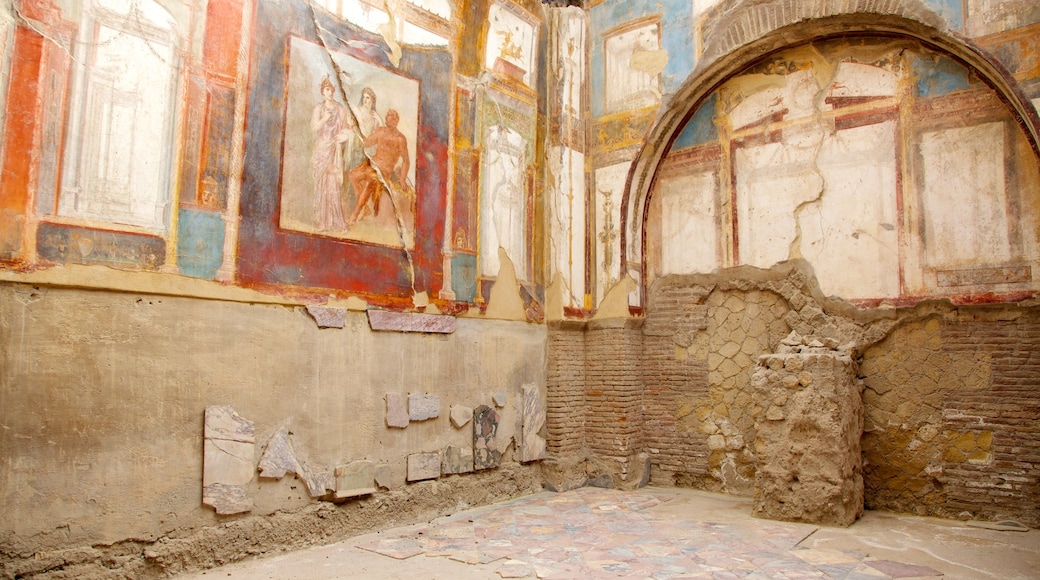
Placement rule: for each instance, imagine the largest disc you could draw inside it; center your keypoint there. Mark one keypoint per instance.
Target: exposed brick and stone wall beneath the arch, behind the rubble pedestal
(950, 405)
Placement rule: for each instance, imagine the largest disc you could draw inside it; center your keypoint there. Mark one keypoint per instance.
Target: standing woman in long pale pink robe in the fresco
(331, 125)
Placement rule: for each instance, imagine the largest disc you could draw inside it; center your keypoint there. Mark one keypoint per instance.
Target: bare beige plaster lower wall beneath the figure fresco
(105, 396)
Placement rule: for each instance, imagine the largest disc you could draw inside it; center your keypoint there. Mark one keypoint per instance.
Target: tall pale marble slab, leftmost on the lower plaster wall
(228, 461)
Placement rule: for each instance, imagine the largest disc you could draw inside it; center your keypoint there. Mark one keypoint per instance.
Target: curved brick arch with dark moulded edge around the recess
(742, 33)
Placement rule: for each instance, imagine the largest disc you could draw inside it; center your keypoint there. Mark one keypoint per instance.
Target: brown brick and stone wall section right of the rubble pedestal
(953, 427)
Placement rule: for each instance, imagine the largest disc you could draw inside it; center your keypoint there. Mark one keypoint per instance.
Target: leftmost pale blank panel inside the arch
(688, 216)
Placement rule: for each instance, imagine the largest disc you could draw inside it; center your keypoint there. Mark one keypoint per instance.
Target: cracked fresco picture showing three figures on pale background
(328, 147)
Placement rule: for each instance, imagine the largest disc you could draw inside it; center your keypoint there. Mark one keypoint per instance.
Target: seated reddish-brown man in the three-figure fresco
(389, 162)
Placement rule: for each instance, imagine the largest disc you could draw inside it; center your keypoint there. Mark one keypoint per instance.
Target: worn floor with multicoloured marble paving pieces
(659, 534)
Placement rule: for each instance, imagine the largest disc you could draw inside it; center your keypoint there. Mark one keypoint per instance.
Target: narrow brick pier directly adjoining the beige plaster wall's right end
(565, 380)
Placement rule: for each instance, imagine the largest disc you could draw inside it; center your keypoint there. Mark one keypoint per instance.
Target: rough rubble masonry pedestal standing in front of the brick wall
(810, 458)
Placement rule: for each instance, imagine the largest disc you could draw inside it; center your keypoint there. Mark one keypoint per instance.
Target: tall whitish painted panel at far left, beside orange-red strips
(118, 156)
